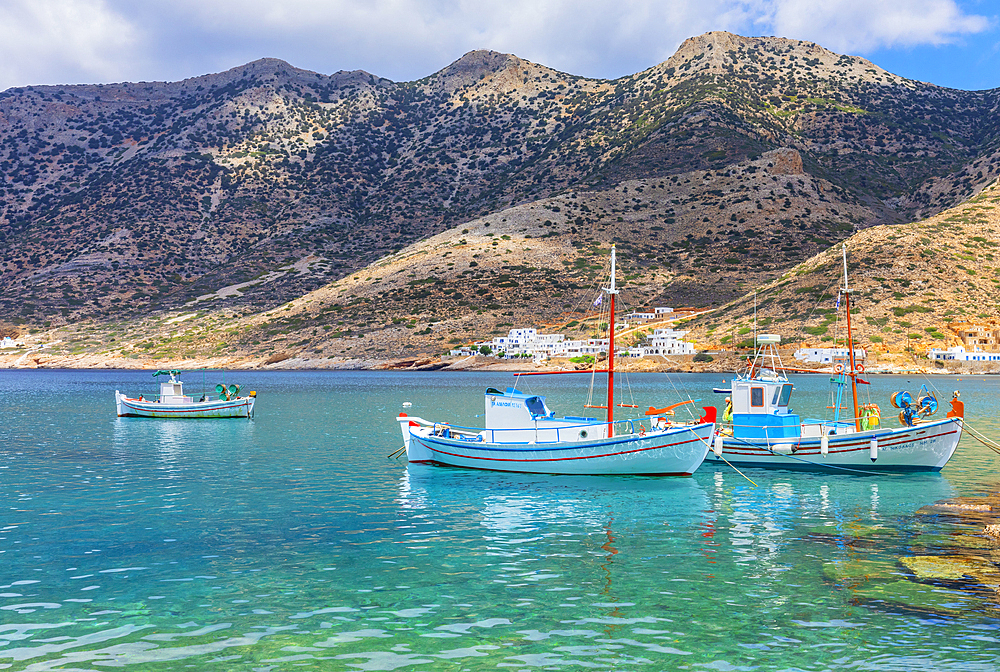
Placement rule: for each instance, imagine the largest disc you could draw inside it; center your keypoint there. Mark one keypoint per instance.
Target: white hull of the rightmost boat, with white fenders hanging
(926, 447)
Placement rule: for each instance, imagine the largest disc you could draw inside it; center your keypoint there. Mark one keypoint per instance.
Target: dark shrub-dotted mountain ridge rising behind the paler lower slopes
(125, 200)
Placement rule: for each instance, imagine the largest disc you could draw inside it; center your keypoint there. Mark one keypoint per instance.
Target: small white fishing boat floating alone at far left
(173, 403)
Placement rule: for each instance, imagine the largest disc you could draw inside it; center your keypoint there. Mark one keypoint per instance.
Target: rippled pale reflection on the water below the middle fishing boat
(565, 531)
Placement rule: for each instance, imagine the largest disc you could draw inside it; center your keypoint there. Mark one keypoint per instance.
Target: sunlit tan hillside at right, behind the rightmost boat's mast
(908, 283)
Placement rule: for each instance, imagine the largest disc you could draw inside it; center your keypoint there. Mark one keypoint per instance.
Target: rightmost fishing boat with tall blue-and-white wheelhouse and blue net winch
(759, 429)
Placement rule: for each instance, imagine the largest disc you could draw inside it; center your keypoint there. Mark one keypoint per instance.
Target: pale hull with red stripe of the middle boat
(677, 451)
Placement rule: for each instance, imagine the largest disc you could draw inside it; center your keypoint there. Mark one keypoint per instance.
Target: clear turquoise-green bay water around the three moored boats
(292, 542)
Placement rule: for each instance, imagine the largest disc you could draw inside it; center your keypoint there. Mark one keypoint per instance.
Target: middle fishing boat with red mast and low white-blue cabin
(521, 434)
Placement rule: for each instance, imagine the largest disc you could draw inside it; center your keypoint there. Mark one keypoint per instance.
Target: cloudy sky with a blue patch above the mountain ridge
(954, 43)
